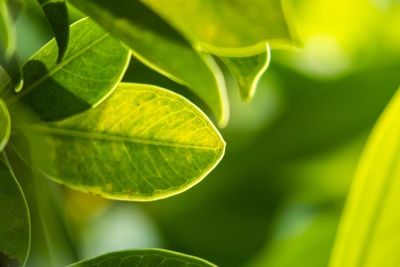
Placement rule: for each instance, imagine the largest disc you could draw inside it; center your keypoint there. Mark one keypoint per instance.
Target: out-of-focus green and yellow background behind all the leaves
(276, 197)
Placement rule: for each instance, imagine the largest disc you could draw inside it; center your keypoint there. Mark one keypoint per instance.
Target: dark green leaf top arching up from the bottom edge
(144, 258)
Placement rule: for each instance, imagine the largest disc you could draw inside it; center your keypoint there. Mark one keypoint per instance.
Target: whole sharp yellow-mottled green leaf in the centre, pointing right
(142, 143)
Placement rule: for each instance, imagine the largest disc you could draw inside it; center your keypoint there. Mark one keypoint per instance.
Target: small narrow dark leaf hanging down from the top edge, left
(57, 14)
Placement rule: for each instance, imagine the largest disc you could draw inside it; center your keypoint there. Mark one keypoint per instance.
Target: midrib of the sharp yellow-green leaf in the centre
(113, 137)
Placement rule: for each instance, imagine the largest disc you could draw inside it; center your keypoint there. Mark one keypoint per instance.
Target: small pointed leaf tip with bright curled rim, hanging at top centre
(248, 71)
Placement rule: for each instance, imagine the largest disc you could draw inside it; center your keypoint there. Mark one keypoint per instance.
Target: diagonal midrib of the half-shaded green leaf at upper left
(59, 66)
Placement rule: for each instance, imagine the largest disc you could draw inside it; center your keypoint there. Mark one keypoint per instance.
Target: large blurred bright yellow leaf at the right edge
(367, 233)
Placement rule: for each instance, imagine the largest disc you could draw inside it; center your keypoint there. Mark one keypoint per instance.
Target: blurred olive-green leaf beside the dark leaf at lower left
(50, 244)
